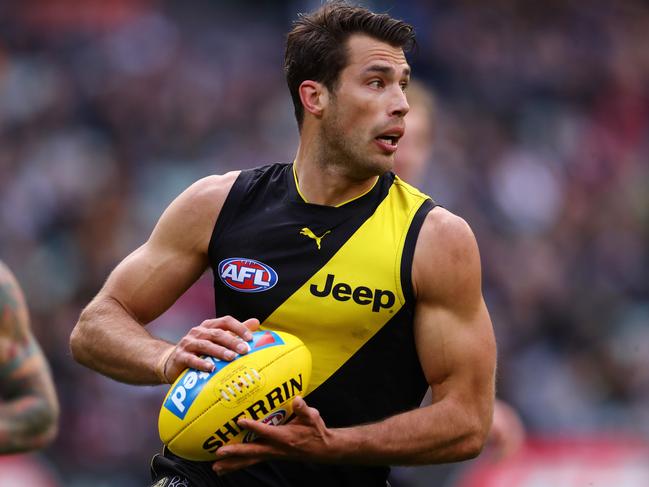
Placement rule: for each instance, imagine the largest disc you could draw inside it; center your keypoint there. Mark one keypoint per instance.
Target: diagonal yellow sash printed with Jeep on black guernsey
(364, 282)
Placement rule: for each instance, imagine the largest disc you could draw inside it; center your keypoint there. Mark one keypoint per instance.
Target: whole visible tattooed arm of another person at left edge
(28, 405)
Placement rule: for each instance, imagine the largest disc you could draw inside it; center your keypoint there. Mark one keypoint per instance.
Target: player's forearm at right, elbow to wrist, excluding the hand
(439, 433)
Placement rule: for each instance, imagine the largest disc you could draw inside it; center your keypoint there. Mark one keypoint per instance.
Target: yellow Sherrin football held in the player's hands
(201, 409)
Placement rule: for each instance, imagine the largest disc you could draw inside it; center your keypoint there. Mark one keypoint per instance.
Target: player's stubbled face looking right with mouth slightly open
(364, 120)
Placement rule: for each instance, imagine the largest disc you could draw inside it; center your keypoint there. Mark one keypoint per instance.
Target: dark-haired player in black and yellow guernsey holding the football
(383, 286)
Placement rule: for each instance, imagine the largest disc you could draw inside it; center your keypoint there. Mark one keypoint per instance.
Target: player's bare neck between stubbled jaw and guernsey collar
(325, 182)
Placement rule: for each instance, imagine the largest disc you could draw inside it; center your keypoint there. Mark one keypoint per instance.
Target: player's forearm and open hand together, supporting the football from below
(446, 431)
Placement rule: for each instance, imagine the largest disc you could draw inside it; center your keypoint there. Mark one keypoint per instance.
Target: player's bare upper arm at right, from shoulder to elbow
(453, 330)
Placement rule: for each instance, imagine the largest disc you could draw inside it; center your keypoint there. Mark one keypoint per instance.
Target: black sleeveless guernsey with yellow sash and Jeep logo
(339, 278)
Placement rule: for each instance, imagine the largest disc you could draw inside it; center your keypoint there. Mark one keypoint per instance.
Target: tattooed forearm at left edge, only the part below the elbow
(27, 423)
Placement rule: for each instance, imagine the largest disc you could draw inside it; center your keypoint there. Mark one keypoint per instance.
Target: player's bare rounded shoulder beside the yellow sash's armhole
(446, 264)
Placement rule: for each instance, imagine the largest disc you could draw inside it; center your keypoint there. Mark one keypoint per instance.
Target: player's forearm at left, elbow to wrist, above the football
(107, 339)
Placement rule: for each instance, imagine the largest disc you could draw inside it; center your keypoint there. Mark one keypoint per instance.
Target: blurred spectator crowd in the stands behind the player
(110, 109)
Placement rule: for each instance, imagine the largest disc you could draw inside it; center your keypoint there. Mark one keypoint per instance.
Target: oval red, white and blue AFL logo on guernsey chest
(247, 275)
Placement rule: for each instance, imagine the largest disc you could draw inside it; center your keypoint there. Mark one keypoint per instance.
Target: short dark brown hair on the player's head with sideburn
(316, 45)
